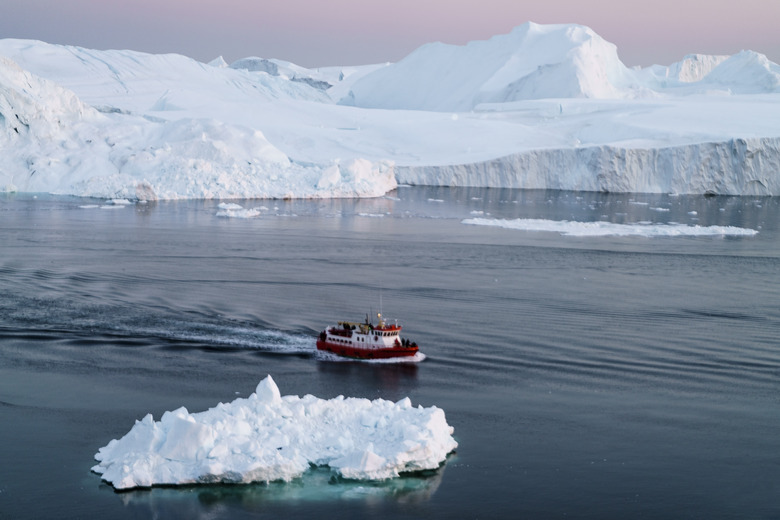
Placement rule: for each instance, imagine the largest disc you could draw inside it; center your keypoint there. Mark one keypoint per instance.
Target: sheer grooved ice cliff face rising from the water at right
(733, 167)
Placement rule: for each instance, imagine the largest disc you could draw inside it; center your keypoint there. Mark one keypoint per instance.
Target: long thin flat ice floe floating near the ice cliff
(590, 229)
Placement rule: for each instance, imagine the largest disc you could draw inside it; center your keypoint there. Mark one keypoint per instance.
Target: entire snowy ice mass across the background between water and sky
(543, 107)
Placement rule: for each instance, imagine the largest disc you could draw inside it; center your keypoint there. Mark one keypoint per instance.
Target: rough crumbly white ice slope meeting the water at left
(51, 141)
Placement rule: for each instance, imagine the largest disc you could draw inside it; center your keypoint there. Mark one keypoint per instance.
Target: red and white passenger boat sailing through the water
(366, 340)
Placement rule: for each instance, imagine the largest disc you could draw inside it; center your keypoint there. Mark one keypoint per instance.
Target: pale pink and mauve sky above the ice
(315, 33)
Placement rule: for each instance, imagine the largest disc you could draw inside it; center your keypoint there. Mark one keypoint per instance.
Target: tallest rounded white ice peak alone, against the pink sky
(532, 62)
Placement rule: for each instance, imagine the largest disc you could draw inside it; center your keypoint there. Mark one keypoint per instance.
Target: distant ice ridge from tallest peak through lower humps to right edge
(563, 61)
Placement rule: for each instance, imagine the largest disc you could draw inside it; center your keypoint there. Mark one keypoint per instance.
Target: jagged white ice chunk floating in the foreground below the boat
(267, 437)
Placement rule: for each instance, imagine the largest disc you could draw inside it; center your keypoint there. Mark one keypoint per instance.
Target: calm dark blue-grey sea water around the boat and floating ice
(585, 377)
